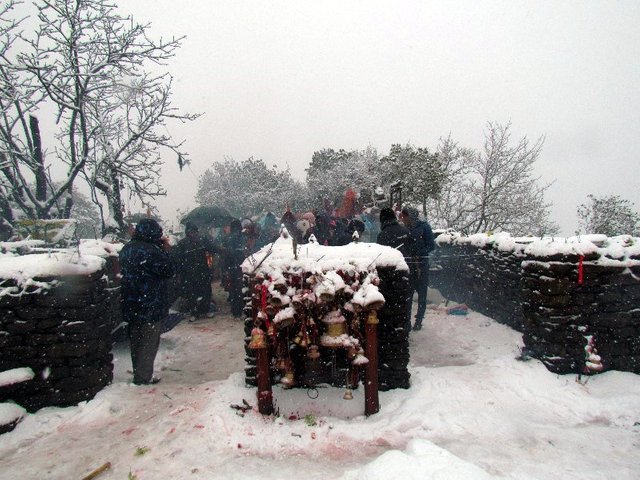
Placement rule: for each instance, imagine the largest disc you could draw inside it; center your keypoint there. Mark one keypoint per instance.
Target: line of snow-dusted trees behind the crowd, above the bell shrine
(460, 188)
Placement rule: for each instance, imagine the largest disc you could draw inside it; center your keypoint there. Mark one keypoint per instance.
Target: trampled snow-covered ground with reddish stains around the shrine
(473, 412)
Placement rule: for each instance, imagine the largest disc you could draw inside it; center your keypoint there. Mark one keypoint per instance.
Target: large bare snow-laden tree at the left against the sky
(90, 64)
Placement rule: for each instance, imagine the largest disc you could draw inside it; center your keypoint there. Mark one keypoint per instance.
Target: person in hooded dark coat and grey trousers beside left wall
(145, 267)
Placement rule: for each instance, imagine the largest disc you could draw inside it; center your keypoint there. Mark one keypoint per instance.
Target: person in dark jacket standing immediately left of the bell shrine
(233, 250)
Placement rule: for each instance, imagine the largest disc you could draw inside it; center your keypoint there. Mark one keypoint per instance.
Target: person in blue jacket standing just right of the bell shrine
(423, 244)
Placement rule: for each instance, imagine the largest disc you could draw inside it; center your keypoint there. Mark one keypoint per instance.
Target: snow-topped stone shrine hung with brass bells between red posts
(320, 315)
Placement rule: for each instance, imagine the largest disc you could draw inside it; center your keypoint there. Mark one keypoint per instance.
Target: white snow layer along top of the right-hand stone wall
(623, 248)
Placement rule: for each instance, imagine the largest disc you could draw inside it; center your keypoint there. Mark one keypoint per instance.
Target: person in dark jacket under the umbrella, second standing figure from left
(192, 260)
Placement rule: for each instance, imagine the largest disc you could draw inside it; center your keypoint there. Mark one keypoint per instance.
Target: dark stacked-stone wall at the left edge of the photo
(64, 335)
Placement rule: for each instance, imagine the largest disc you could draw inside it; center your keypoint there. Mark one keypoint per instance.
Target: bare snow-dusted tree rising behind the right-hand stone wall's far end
(495, 189)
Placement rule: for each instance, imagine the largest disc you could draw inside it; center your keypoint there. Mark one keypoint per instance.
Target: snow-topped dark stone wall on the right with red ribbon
(567, 299)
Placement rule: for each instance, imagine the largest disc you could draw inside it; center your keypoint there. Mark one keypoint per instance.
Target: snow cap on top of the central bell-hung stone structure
(316, 258)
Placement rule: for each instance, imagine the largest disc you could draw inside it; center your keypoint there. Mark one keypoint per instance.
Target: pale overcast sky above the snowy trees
(279, 80)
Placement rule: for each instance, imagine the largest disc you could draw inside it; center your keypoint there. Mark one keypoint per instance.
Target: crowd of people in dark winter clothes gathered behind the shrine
(156, 275)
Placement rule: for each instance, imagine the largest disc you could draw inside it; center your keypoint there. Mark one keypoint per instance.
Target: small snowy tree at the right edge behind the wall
(608, 215)
